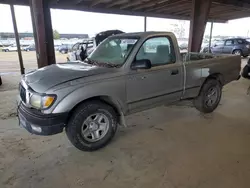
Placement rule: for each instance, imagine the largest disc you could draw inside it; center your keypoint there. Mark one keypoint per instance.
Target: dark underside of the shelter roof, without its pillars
(221, 10)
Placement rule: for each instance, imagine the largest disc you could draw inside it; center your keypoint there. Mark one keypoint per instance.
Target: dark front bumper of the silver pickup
(41, 124)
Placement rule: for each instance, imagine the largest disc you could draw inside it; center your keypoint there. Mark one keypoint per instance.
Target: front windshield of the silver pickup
(113, 51)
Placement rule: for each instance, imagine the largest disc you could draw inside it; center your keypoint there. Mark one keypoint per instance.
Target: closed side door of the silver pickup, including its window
(163, 83)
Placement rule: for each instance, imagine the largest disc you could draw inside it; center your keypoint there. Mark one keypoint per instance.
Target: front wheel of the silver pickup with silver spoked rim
(80, 134)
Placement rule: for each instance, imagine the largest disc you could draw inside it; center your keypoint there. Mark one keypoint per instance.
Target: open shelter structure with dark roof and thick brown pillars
(199, 12)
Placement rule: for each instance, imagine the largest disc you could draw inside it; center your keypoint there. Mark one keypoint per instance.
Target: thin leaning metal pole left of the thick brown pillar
(17, 39)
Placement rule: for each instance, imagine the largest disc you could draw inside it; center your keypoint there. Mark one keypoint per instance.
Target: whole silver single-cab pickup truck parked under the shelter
(127, 73)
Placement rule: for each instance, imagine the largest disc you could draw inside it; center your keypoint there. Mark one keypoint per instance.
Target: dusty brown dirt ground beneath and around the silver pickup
(170, 147)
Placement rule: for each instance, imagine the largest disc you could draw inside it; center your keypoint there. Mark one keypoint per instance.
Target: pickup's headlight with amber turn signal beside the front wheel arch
(42, 102)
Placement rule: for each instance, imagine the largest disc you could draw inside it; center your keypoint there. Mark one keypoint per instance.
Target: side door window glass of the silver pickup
(159, 50)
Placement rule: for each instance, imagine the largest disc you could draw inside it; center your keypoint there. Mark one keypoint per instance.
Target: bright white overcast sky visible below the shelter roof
(69, 21)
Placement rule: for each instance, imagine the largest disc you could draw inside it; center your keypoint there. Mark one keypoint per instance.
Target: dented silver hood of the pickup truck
(45, 78)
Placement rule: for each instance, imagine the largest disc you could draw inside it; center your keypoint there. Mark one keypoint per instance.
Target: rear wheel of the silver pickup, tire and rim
(202, 103)
